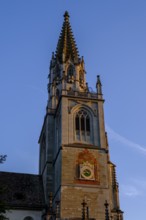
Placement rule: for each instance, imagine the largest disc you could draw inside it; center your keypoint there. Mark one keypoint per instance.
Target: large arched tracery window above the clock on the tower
(82, 126)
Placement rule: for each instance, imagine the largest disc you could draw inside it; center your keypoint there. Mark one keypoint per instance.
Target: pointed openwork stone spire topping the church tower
(66, 47)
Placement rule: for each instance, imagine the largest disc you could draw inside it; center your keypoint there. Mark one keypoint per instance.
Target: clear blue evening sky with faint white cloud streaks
(111, 35)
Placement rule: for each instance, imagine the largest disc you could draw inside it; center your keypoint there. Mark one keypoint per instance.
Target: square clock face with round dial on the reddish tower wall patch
(87, 172)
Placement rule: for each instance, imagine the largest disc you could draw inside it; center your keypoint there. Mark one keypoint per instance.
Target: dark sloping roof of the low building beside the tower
(22, 191)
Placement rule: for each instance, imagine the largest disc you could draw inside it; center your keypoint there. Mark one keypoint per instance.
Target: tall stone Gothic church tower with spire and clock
(78, 177)
